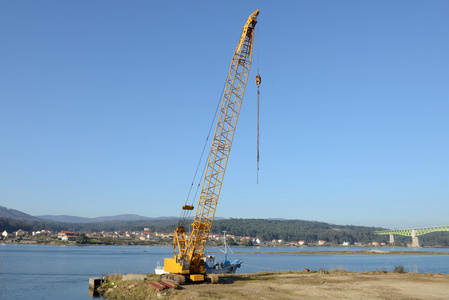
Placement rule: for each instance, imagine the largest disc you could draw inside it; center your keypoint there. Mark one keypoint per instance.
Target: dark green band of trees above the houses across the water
(264, 229)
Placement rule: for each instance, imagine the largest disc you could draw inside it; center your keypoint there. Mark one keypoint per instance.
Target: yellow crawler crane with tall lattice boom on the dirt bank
(188, 261)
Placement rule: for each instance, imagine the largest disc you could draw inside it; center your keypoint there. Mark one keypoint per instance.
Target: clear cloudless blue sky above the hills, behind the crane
(105, 106)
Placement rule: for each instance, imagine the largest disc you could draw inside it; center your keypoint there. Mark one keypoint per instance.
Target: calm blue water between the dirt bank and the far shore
(58, 272)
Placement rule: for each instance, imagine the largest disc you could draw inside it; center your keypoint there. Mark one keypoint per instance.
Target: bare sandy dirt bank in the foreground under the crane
(294, 285)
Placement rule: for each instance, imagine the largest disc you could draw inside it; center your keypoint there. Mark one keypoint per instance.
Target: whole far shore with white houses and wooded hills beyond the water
(19, 227)
